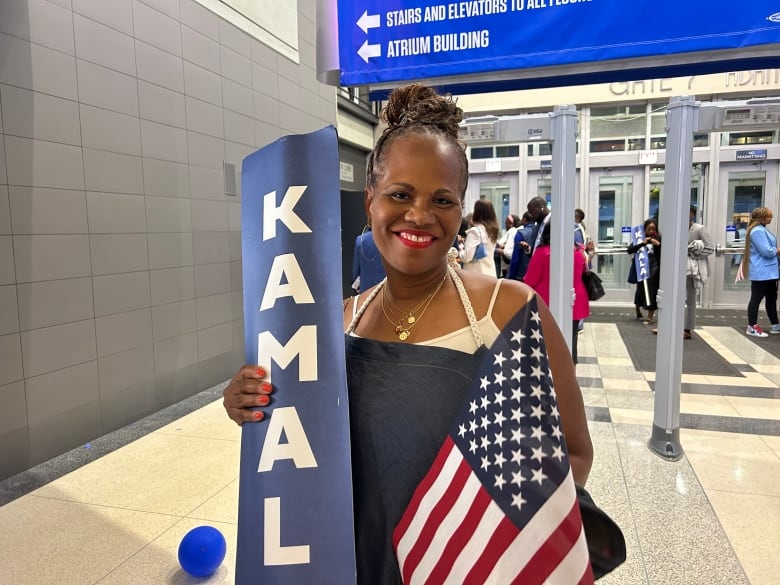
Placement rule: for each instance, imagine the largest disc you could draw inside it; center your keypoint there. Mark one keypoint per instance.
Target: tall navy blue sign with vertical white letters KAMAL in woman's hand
(295, 520)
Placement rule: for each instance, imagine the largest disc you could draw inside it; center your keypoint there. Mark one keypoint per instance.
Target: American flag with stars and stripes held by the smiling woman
(499, 505)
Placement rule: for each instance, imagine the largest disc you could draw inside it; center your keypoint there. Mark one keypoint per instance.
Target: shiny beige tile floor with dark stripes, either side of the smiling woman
(713, 517)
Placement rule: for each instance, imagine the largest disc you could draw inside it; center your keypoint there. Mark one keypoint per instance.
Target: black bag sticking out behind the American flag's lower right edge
(606, 544)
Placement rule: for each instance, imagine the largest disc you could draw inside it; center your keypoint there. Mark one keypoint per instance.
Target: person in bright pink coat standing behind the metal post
(538, 277)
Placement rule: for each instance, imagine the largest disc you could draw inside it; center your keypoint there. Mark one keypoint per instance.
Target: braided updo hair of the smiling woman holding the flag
(418, 109)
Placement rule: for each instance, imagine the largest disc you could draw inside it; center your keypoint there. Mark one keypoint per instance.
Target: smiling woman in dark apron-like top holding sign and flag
(415, 340)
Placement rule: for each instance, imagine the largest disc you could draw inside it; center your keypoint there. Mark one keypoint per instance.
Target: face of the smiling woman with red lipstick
(415, 206)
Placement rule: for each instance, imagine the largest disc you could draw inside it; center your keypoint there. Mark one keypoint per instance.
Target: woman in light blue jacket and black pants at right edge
(761, 269)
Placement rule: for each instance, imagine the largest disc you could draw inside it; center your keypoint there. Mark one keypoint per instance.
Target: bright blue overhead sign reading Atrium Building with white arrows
(383, 41)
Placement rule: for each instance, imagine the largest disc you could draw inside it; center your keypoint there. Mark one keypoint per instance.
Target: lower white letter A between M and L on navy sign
(297, 447)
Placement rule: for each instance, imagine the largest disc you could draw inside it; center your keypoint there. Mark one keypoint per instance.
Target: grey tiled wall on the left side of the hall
(120, 254)
